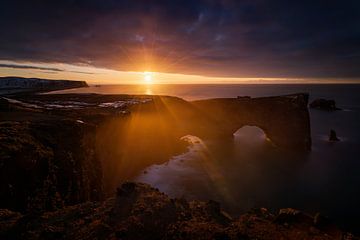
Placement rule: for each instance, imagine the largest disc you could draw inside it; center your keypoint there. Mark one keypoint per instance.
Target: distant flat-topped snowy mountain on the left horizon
(38, 84)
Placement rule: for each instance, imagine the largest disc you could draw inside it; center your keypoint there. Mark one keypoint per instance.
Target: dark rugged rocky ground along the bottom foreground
(141, 212)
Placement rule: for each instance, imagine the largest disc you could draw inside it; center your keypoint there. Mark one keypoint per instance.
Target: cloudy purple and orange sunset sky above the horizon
(181, 41)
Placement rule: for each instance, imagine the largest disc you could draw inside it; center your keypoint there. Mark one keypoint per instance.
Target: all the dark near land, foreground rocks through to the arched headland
(61, 154)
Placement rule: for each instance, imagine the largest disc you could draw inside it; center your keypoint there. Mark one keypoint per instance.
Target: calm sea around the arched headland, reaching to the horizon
(247, 172)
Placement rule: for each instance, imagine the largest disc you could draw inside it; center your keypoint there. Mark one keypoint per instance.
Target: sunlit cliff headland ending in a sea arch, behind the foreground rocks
(60, 154)
